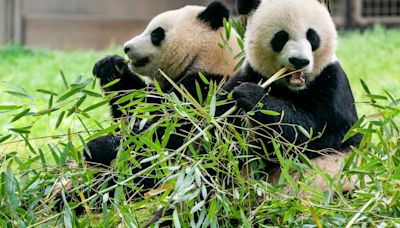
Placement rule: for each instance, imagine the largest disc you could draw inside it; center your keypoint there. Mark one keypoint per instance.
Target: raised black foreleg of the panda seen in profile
(115, 67)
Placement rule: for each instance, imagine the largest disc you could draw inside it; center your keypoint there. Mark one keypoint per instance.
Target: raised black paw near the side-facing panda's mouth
(110, 68)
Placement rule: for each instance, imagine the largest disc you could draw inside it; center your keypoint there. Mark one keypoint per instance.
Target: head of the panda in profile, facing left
(183, 40)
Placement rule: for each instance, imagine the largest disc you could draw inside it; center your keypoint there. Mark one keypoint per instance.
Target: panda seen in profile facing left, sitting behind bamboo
(181, 43)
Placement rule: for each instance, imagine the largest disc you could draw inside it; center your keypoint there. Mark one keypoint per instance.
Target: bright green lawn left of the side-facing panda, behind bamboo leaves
(33, 69)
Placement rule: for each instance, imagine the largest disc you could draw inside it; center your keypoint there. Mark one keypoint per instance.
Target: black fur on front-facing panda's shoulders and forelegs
(326, 105)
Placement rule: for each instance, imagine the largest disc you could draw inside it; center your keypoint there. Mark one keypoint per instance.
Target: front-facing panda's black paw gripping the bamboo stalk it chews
(247, 95)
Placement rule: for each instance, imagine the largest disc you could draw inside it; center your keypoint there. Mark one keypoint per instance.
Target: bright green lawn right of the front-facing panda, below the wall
(372, 55)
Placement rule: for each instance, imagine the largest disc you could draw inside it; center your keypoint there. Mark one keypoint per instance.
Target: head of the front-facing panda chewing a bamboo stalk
(296, 34)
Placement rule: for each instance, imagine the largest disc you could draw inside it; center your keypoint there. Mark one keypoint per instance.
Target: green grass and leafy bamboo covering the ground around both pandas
(30, 168)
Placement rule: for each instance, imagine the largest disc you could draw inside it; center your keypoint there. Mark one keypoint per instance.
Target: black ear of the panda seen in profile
(214, 15)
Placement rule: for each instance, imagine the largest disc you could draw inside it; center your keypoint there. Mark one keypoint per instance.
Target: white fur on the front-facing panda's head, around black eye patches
(295, 17)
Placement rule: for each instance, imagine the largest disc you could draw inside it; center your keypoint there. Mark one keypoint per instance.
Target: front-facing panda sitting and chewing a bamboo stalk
(298, 35)
